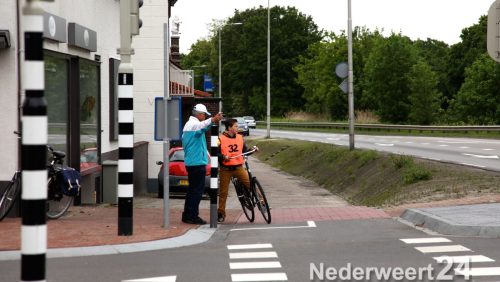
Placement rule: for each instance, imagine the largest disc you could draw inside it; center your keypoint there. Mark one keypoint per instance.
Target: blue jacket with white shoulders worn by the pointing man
(194, 143)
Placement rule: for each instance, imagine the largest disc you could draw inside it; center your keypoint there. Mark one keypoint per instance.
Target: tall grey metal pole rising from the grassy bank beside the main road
(350, 77)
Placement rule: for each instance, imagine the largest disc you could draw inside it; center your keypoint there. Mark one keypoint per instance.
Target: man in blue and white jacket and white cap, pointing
(196, 158)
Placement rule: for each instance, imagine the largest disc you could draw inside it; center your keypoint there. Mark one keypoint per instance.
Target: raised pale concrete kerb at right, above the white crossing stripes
(443, 226)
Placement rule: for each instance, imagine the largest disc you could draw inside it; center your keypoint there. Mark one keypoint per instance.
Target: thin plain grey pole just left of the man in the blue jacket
(166, 140)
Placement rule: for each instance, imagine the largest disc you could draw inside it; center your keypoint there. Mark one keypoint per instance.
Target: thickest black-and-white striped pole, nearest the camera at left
(33, 149)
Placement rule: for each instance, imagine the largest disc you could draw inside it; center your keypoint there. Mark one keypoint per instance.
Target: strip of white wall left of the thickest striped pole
(8, 92)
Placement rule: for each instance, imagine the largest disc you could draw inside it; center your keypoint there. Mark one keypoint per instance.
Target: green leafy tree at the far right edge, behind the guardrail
(478, 101)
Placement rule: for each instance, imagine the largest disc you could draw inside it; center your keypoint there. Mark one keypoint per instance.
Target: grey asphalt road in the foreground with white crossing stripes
(289, 252)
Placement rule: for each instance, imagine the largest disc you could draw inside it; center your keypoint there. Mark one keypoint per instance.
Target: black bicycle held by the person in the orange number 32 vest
(253, 197)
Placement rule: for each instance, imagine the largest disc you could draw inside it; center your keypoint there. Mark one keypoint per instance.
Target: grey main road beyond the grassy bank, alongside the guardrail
(481, 153)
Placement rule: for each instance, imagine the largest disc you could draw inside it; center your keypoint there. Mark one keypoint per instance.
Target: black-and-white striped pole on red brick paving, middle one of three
(125, 150)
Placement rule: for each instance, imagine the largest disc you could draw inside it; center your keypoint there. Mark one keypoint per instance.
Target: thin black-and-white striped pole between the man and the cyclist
(214, 181)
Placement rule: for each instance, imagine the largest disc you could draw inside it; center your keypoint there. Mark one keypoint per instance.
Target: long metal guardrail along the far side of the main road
(379, 127)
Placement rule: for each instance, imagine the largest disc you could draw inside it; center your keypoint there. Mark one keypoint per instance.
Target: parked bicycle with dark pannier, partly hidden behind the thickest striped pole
(58, 200)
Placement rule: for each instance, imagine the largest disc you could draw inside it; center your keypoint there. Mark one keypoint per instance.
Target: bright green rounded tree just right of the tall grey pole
(386, 80)
